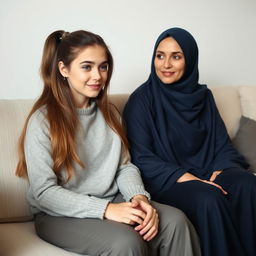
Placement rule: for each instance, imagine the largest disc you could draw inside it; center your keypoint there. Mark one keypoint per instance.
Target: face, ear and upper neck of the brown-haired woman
(87, 74)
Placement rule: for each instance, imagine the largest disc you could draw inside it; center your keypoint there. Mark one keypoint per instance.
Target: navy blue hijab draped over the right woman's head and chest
(185, 113)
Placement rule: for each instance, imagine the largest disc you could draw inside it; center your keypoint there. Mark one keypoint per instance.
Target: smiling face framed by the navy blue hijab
(169, 61)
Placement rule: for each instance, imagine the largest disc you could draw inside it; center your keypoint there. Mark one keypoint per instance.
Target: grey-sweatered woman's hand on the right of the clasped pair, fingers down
(149, 228)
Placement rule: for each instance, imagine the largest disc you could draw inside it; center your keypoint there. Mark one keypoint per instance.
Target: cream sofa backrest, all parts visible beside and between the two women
(13, 204)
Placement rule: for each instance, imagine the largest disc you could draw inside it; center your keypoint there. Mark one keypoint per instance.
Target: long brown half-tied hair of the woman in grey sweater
(59, 103)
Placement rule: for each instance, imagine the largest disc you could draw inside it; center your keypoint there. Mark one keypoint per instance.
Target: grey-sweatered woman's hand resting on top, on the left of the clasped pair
(125, 213)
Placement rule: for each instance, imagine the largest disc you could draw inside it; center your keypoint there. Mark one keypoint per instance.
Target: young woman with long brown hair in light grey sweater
(85, 194)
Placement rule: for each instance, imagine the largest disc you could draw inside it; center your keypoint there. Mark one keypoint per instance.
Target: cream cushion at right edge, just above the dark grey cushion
(248, 101)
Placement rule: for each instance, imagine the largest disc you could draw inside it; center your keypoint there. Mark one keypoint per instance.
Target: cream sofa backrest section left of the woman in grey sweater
(13, 205)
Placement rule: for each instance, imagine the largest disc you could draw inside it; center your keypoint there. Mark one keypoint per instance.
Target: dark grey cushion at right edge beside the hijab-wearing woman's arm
(245, 141)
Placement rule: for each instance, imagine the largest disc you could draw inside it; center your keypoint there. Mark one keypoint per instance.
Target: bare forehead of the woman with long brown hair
(95, 53)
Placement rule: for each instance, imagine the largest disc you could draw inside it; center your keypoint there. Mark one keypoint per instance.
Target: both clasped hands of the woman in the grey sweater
(138, 212)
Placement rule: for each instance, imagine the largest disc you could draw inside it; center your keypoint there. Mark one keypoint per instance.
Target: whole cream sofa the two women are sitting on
(17, 234)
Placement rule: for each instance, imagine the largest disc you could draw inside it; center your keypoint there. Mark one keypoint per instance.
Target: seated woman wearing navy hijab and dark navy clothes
(181, 146)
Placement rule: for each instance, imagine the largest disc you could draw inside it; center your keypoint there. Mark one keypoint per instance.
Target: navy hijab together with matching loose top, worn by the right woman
(182, 126)
